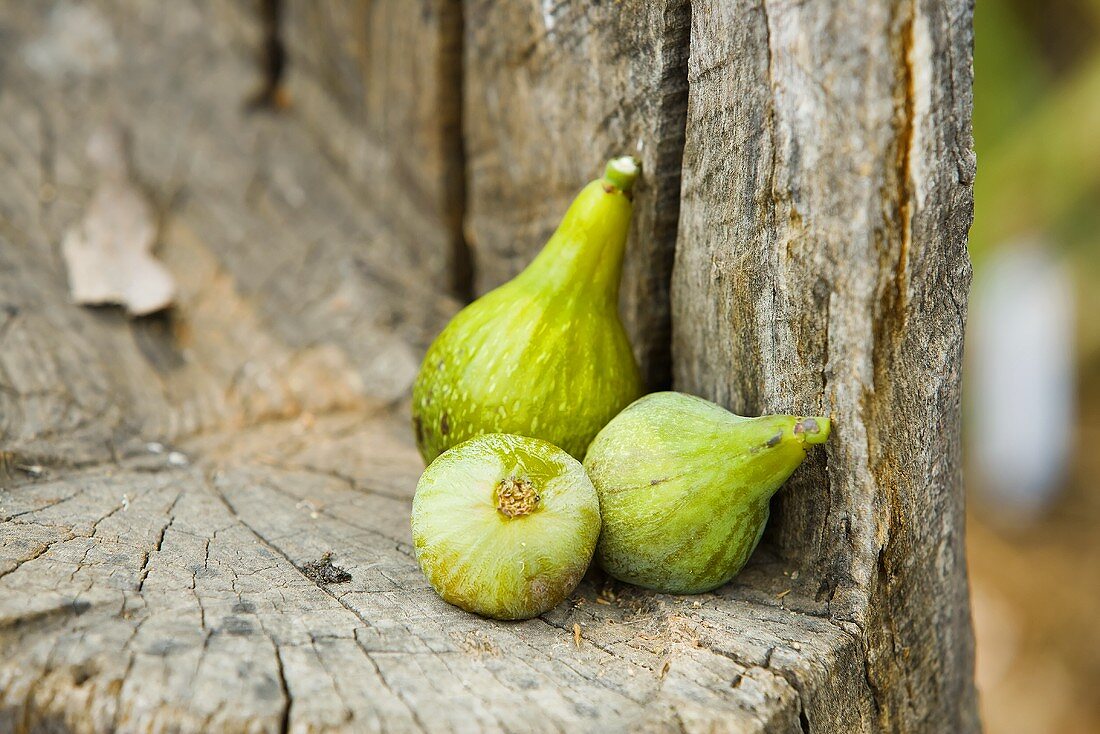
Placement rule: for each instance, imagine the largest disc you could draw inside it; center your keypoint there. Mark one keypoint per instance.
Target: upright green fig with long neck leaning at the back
(546, 354)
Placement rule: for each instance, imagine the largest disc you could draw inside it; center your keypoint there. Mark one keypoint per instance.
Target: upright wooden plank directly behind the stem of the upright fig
(553, 91)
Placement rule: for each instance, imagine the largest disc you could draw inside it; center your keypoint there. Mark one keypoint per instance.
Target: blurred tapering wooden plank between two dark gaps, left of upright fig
(380, 84)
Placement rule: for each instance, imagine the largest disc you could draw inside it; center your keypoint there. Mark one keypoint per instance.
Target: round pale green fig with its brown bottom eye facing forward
(505, 527)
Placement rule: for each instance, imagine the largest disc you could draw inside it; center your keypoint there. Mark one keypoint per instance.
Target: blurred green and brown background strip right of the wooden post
(1033, 371)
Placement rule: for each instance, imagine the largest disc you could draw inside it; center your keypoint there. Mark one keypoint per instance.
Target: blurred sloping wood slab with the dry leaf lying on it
(282, 308)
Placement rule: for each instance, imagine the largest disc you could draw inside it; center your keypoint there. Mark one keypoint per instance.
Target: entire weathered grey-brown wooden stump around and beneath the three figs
(167, 483)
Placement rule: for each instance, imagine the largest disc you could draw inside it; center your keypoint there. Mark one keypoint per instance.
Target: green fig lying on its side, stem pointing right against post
(685, 487)
